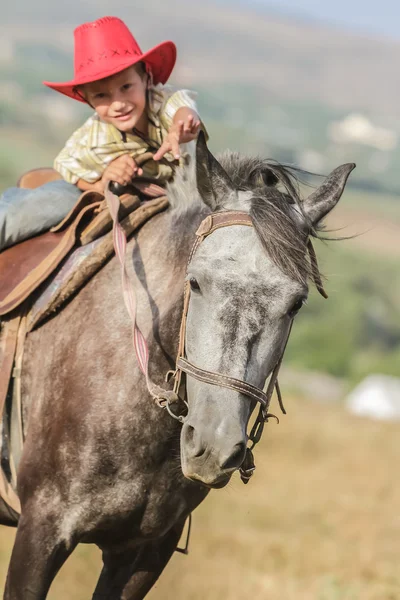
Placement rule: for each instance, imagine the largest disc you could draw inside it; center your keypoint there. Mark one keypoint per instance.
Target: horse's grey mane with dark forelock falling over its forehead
(275, 192)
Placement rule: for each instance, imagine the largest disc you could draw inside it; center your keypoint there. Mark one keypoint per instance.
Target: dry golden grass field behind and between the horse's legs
(319, 521)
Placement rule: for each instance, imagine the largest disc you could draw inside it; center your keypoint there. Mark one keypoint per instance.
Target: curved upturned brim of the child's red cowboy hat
(161, 60)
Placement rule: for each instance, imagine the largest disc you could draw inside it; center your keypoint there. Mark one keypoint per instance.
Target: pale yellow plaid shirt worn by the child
(94, 145)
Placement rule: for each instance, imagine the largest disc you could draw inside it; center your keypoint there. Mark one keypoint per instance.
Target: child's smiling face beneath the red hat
(120, 99)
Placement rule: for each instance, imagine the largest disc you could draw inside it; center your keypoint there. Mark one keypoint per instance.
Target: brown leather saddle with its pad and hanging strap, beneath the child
(37, 276)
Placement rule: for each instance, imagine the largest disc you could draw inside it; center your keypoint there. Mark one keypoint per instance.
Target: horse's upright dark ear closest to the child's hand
(213, 183)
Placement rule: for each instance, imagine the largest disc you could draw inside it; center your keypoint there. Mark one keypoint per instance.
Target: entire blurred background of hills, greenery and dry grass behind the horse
(314, 85)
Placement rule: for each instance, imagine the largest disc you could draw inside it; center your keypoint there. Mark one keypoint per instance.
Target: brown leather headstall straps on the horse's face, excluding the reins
(207, 227)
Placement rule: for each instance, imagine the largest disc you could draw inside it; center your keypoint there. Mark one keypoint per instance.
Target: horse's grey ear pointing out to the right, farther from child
(325, 198)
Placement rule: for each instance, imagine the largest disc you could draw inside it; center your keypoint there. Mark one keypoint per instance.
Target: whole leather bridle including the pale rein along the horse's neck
(164, 398)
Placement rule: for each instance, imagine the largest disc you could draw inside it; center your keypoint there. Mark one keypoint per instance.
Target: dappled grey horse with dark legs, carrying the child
(102, 463)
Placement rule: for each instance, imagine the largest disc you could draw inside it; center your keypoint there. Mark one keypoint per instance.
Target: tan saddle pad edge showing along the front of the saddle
(84, 262)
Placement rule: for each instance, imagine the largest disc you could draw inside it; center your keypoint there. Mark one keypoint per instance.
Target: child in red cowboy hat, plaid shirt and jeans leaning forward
(134, 113)
